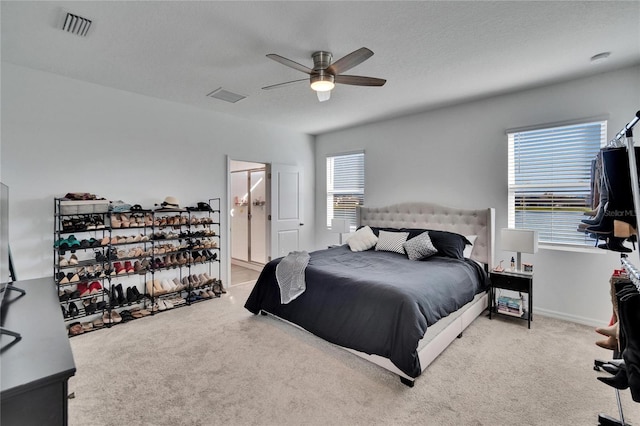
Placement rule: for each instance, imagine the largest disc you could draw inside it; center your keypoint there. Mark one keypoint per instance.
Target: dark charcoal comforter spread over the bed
(373, 301)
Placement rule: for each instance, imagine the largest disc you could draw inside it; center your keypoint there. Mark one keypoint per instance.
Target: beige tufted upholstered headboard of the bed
(434, 216)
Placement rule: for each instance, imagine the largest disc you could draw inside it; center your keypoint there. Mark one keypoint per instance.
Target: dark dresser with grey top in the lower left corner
(34, 370)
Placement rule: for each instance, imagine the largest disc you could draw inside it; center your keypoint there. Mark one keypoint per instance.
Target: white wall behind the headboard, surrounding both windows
(457, 156)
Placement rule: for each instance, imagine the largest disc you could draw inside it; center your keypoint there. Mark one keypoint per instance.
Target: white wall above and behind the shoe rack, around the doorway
(61, 135)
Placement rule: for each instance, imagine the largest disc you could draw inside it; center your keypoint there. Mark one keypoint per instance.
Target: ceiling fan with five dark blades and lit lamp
(325, 75)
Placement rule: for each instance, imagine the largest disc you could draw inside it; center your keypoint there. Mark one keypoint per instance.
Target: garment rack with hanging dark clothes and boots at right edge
(617, 223)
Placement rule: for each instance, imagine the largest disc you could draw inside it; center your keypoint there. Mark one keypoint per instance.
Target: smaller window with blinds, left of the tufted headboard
(345, 186)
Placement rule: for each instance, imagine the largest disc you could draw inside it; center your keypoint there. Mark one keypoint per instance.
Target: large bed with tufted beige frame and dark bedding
(395, 312)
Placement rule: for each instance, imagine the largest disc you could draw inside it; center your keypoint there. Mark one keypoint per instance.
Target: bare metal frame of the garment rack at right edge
(633, 272)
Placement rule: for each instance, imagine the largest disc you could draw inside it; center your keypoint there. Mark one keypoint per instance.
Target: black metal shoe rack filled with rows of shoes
(186, 236)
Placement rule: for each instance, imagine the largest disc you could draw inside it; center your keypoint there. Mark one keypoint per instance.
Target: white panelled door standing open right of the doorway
(286, 209)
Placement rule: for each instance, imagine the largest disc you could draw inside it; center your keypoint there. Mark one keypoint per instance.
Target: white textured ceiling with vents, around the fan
(431, 53)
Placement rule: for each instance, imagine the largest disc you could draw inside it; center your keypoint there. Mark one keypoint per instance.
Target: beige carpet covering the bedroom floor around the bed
(216, 364)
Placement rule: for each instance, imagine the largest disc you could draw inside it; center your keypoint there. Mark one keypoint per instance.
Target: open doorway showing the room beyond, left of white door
(248, 219)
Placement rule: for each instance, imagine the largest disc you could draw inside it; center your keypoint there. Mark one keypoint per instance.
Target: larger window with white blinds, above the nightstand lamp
(550, 180)
